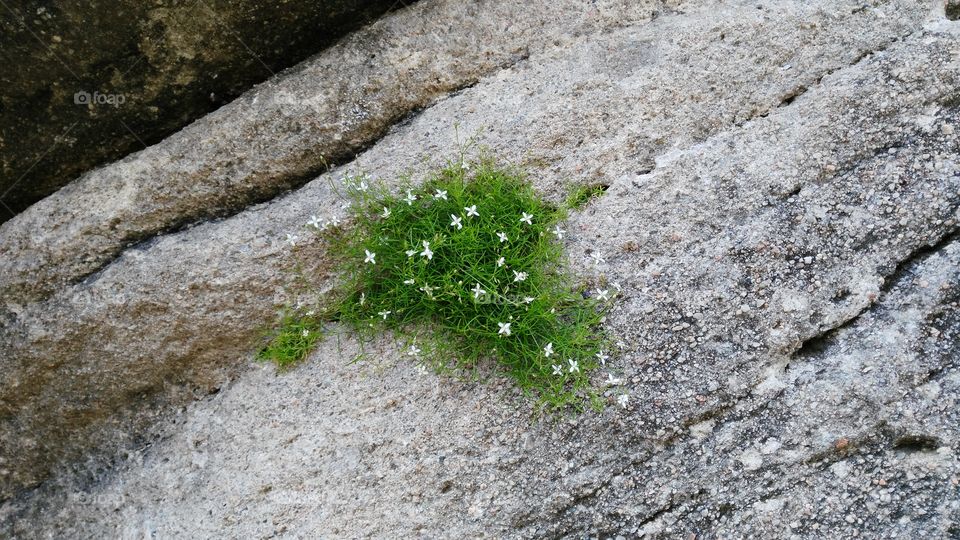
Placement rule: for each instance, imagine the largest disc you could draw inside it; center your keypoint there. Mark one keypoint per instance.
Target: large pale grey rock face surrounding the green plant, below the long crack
(782, 216)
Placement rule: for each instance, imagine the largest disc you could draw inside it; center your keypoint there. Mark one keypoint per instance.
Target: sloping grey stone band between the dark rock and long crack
(280, 134)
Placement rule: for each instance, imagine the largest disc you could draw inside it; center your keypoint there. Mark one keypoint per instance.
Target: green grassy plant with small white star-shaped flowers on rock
(469, 268)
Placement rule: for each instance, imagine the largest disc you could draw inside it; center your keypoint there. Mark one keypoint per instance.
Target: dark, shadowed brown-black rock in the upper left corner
(167, 62)
